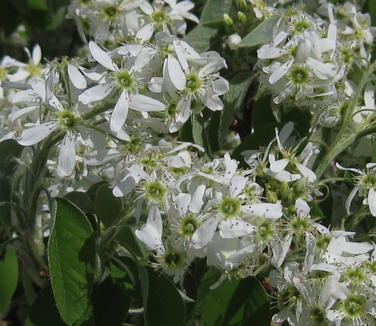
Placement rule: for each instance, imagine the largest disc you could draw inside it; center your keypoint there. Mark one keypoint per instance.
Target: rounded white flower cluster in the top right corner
(308, 60)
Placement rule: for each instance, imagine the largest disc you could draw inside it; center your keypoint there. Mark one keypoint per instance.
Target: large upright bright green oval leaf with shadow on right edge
(71, 253)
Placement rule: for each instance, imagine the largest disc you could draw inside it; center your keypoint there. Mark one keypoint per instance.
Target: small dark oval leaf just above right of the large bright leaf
(107, 206)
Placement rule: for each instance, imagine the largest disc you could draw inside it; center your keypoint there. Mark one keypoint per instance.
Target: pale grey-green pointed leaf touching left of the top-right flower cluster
(261, 34)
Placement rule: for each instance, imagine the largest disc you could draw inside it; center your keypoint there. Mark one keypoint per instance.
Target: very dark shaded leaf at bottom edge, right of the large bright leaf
(111, 303)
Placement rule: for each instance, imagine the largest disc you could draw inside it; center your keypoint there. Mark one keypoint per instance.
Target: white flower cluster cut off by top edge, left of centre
(116, 21)
